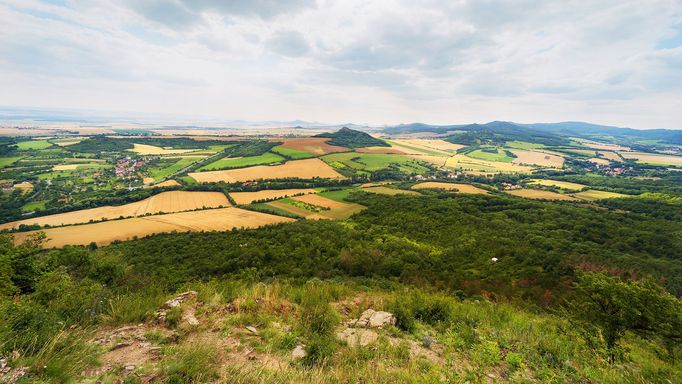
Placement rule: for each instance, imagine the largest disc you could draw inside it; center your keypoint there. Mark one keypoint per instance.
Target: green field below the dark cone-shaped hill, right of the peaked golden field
(371, 162)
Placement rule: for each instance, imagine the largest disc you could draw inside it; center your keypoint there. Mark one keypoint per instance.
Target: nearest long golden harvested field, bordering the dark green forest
(222, 219)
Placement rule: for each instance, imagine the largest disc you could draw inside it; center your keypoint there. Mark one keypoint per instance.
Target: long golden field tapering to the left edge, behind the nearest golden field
(172, 201)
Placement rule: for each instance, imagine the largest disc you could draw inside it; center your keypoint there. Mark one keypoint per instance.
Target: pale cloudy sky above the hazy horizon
(616, 62)
